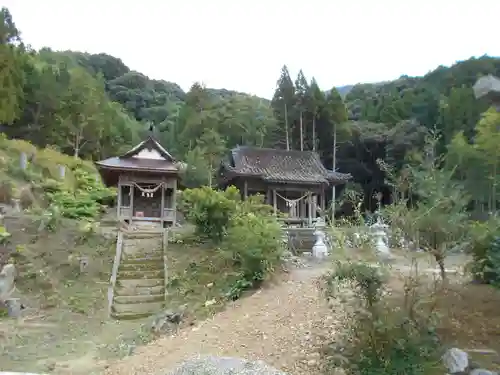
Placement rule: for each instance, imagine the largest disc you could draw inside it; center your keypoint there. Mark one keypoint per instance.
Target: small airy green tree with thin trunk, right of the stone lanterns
(437, 220)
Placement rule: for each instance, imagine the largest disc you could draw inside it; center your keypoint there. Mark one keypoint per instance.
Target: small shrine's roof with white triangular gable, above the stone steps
(148, 156)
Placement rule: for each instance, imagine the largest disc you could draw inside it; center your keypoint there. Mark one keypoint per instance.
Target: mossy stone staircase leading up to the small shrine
(138, 280)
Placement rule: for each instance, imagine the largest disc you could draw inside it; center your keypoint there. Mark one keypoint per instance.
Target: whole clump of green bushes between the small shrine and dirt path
(249, 236)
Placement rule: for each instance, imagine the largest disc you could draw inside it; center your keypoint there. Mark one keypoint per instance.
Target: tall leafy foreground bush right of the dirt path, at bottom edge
(378, 338)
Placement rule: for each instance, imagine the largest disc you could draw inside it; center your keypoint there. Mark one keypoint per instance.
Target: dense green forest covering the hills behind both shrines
(93, 106)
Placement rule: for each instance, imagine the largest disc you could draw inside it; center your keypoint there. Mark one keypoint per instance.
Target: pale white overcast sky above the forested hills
(242, 44)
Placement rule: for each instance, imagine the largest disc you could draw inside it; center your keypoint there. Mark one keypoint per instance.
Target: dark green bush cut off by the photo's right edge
(485, 250)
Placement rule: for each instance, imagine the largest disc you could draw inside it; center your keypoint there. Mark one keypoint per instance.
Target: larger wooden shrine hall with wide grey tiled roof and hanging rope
(294, 182)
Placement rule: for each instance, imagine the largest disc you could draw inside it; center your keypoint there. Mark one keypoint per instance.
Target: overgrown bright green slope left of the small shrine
(41, 186)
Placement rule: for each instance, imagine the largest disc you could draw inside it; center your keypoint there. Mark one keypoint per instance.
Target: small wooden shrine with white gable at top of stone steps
(146, 178)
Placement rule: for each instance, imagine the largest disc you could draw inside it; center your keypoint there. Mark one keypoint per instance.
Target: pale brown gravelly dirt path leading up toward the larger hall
(276, 325)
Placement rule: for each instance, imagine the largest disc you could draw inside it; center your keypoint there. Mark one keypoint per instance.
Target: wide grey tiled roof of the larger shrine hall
(280, 166)
